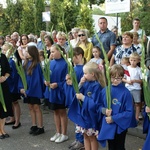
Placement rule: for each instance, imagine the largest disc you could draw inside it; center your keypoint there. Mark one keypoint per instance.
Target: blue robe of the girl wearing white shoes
(58, 69)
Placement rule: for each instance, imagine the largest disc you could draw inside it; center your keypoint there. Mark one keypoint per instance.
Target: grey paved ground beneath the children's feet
(20, 139)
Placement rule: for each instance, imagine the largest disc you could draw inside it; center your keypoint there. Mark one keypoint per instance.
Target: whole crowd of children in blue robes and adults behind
(87, 108)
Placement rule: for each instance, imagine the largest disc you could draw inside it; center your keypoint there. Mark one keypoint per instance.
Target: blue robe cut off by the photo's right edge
(146, 129)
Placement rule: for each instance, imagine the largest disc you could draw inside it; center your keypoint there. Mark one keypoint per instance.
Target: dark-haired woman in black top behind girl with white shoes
(48, 43)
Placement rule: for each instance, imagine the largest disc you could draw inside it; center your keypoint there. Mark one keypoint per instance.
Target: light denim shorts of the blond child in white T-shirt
(136, 94)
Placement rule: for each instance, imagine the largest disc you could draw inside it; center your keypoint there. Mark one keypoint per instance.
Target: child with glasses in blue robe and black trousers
(120, 117)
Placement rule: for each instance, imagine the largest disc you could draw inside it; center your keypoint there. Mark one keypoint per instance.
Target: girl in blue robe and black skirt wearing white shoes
(58, 67)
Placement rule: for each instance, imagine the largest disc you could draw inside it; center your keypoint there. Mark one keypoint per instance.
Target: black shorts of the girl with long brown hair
(32, 100)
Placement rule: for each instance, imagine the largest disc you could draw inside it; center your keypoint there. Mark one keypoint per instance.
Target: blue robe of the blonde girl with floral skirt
(86, 115)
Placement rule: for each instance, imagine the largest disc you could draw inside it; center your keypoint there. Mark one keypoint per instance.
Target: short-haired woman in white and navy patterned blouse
(123, 50)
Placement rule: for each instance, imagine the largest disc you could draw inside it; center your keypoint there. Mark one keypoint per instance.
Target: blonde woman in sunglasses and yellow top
(85, 44)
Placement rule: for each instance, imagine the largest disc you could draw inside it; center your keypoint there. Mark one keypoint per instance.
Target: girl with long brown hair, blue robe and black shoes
(35, 88)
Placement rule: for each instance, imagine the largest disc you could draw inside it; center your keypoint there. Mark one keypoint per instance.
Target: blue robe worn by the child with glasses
(122, 113)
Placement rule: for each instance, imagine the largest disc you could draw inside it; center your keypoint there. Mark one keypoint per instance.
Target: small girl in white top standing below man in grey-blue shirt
(96, 53)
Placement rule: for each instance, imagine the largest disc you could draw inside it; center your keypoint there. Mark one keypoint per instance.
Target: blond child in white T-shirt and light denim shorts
(134, 81)
